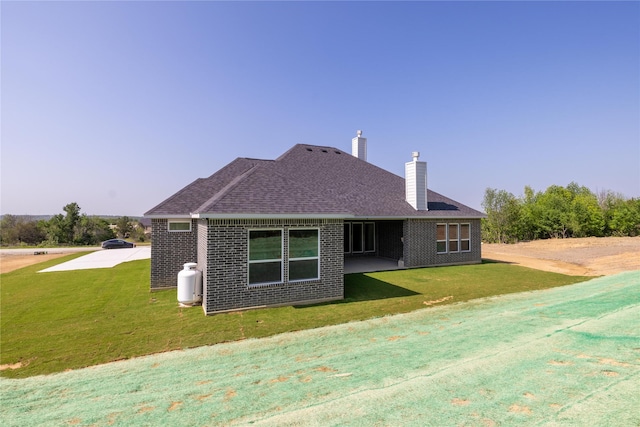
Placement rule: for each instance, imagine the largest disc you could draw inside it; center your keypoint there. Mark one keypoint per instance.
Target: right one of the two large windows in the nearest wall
(304, 254)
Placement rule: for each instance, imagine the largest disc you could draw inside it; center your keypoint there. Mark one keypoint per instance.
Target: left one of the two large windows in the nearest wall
(265, 256)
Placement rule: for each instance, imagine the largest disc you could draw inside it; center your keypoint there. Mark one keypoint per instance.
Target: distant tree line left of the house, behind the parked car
(71, 228)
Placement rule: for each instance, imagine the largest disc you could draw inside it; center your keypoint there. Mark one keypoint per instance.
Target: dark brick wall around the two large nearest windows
(225, 280)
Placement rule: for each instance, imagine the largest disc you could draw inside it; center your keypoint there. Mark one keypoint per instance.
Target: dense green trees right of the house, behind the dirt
(558, 212)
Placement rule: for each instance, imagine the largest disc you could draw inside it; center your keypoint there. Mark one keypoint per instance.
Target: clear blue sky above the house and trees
(117, 105)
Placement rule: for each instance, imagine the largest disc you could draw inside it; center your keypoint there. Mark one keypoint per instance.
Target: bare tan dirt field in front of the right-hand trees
(591, 256)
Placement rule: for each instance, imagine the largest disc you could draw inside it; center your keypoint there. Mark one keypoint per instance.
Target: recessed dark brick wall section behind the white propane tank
(169, 252)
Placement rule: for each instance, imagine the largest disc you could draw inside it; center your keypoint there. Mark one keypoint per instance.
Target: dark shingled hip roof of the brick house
(307, 180)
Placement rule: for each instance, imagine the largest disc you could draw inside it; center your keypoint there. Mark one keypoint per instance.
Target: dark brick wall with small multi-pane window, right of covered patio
(420, 243)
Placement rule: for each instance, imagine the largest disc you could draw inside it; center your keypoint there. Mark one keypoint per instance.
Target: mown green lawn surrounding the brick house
(52, 322)
